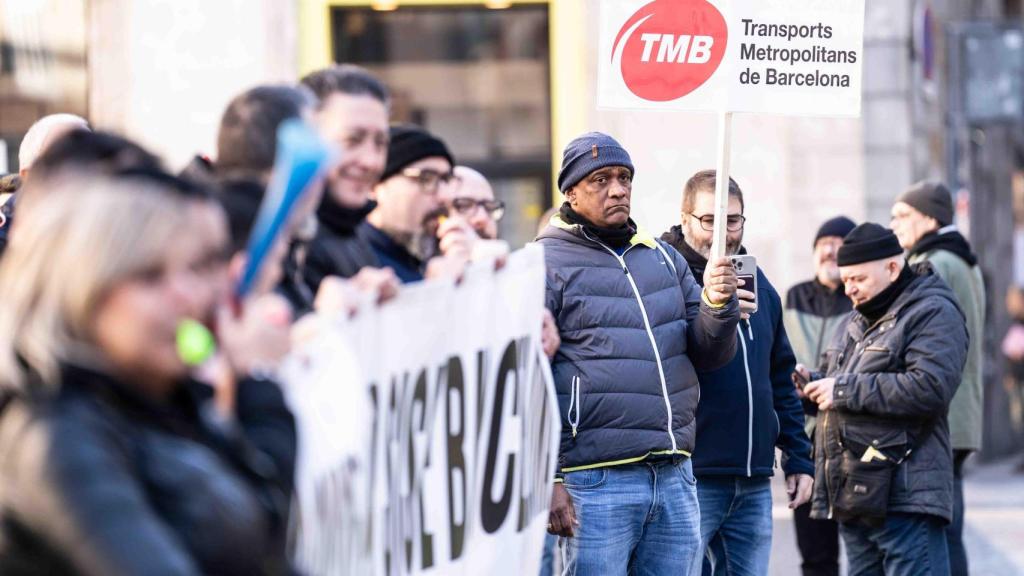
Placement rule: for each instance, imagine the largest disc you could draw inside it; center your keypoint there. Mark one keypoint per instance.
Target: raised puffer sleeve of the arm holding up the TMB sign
(711, 332)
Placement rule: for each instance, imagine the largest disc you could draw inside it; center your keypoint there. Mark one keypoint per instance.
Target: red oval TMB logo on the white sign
(670, 48)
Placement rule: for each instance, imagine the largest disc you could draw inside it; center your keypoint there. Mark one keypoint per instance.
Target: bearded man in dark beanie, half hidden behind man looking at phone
(814, 311)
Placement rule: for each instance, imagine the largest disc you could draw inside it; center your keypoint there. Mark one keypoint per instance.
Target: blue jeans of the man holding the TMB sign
(641, 520)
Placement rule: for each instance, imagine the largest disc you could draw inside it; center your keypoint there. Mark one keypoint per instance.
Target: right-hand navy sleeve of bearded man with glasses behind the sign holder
(792, 439)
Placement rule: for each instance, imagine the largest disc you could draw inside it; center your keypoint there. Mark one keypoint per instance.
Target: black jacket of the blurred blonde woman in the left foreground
(98, 480)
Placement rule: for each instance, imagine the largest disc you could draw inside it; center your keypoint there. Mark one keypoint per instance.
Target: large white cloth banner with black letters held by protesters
(429, 431)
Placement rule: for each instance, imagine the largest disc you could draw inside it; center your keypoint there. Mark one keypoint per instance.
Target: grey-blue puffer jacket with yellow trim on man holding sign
(633, 330)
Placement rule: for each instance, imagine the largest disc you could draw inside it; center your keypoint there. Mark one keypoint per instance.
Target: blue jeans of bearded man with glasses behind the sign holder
(736, 525)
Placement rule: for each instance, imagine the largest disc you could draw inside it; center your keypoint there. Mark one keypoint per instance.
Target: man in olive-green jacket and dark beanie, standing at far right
(923, 220)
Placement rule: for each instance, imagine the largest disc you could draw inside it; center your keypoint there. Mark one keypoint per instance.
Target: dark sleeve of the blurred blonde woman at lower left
(75, 485)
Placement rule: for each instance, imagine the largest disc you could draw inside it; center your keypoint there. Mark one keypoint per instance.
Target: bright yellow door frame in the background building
(567, 46)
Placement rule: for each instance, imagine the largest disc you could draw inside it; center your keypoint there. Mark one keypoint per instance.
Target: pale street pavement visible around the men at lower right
(994, 534)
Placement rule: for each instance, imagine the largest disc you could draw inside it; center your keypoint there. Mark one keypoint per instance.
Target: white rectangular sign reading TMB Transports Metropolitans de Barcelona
(770, 57)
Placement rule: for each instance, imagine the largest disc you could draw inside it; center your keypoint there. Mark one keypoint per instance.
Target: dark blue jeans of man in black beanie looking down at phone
(908, 545)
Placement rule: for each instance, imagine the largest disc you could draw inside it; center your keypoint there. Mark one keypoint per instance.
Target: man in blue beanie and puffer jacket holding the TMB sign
(635, 327)
